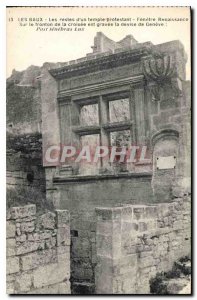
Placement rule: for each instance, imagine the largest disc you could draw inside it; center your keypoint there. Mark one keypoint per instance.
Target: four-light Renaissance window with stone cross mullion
(104, 120)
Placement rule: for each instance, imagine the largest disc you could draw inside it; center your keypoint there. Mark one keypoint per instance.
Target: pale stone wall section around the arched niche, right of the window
(170, 127)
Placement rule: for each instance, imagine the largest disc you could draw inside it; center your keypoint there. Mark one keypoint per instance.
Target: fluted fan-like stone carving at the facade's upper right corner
(162, 78)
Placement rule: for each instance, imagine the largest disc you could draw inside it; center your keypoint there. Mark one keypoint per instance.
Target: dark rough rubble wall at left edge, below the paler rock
(24, 161)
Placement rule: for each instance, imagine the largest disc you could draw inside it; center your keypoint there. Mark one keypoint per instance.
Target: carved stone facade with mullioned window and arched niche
(152, 79)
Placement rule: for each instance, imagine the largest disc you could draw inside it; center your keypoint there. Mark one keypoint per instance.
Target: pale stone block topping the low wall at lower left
(22, 212)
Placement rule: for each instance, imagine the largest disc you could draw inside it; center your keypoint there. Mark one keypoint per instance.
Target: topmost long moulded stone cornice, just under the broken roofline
(101, 63)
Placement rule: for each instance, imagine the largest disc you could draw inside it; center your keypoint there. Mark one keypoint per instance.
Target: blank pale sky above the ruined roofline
(26, 46)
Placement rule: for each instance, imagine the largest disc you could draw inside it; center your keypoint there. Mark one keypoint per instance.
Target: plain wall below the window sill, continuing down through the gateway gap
(80, 196)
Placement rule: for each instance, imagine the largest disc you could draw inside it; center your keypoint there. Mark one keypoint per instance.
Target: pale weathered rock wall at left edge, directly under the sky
(23, 101)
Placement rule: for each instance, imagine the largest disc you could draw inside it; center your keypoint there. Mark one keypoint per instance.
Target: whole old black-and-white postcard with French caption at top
(98, 150)
